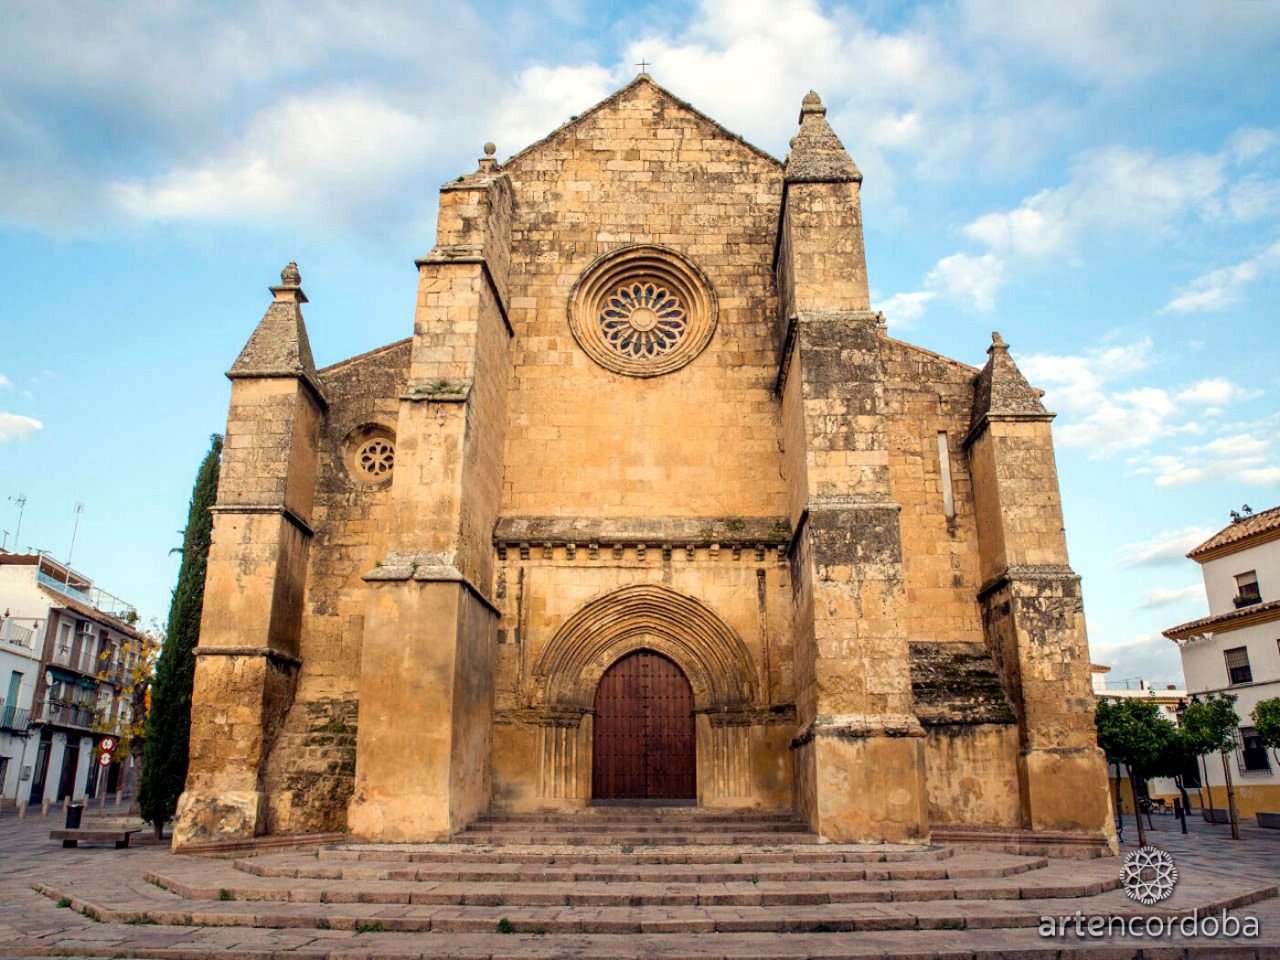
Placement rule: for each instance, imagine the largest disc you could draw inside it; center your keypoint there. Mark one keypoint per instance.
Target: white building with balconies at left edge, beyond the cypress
(67, 653)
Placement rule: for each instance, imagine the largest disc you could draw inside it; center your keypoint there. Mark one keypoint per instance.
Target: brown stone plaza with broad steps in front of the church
(348, 903)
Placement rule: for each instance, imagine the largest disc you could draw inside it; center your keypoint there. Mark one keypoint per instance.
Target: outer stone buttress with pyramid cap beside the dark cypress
(248, 657)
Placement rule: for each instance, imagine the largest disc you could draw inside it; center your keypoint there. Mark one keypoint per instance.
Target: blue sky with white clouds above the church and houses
(1098, 181)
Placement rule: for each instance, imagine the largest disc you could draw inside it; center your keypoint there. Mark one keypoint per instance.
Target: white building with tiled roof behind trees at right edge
(1236, 650)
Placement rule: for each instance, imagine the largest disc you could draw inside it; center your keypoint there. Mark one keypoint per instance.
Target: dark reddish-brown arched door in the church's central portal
(644, 732)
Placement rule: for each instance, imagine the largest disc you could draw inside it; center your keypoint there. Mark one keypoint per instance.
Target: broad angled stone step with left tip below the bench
(98, 899)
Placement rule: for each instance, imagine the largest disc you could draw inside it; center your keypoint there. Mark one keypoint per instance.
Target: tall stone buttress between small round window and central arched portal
(428, 657)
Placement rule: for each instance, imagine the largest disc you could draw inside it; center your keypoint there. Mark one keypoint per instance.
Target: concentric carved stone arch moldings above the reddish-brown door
(646, 616)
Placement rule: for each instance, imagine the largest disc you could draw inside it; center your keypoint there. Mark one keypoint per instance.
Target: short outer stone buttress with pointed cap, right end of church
(1032, 611)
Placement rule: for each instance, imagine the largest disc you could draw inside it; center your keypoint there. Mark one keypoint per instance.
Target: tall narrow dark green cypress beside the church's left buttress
(166, 752)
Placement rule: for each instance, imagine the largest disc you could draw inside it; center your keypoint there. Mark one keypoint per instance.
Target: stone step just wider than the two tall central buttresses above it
(647, 854)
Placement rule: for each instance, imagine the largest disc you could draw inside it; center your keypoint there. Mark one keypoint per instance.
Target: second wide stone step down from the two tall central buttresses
(957, 868)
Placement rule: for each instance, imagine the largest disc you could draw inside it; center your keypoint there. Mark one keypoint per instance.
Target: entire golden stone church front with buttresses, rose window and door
(650, 508)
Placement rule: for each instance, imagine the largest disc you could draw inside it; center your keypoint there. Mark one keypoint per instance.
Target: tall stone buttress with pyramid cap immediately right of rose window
(858, 753)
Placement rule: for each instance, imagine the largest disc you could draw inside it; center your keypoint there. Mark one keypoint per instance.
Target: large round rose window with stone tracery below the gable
(643, 312)
